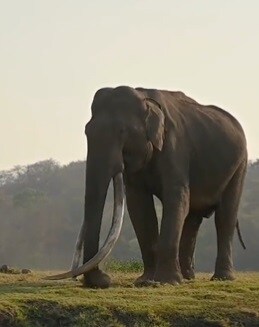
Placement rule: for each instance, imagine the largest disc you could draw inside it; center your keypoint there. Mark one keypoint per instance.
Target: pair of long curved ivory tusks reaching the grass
(113, 235)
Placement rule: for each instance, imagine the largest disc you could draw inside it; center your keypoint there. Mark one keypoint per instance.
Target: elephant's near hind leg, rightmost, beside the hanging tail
(226, 220)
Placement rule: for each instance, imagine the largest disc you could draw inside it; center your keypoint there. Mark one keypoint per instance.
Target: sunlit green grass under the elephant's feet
(28, 300)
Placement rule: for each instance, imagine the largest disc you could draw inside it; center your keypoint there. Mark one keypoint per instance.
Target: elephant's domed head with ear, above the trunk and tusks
(124, 128)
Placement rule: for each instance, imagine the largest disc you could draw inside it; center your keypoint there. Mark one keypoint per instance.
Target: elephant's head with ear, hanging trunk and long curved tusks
(125, 128)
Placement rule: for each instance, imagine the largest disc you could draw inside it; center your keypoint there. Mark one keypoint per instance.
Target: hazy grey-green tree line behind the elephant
(41, 211)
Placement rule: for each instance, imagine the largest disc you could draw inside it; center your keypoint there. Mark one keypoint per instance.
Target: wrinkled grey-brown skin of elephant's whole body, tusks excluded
(192, 157)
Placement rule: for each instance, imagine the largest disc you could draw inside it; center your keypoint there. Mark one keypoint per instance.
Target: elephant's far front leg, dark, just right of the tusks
(143, 216)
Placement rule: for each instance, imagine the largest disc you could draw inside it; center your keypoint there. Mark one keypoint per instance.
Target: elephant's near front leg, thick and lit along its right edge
(175, 210)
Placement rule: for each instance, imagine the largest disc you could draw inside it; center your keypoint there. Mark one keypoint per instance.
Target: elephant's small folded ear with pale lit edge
(155, 123)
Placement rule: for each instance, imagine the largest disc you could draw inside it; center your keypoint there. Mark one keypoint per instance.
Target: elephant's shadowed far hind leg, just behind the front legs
(187, 245)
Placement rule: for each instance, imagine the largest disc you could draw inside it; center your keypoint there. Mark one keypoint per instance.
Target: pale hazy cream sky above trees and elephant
(54, 54)
